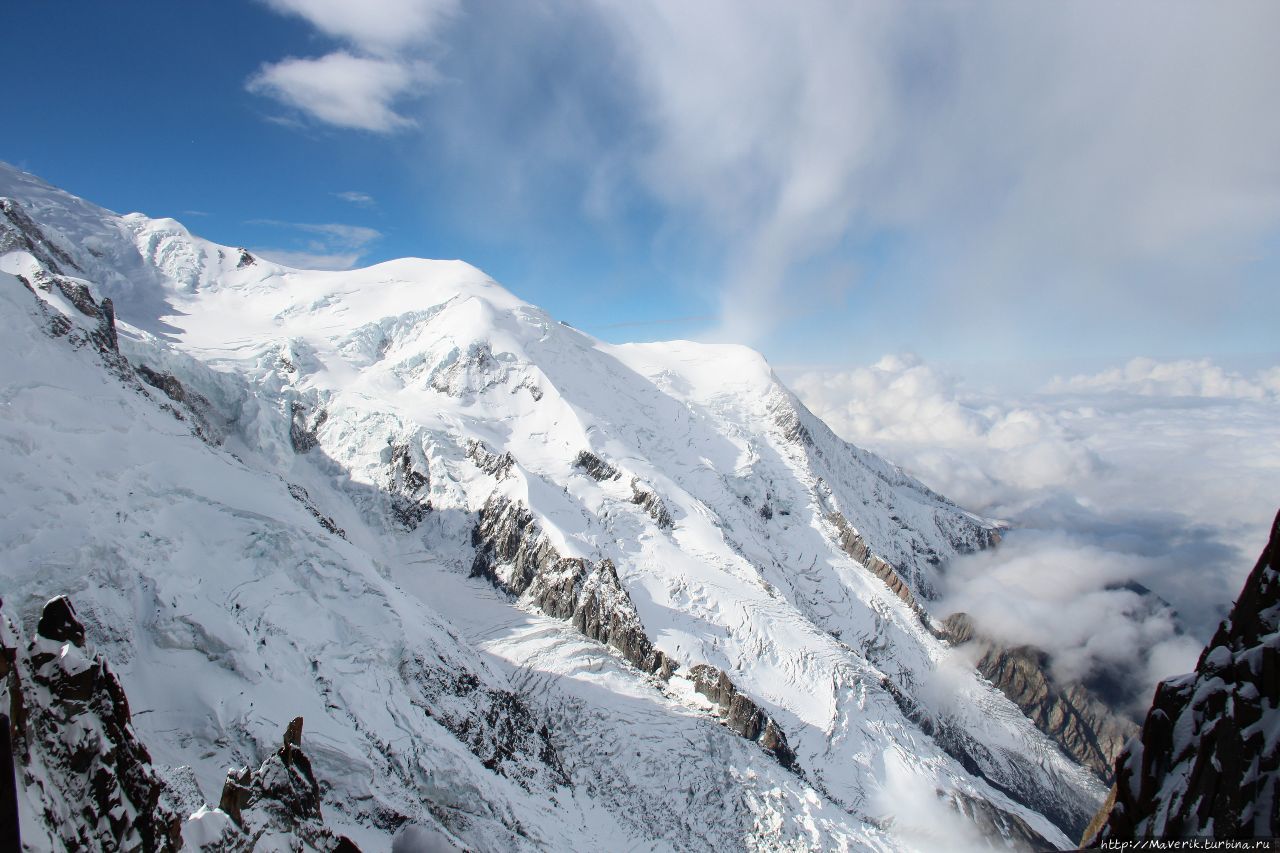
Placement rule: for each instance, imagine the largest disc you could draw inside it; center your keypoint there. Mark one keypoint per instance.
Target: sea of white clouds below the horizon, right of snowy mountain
(1162, 475)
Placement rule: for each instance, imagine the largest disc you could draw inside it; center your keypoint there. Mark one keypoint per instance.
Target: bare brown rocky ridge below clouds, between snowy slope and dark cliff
(1069, 714)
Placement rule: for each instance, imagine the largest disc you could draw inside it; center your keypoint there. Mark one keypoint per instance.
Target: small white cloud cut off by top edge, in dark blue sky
(374, 26)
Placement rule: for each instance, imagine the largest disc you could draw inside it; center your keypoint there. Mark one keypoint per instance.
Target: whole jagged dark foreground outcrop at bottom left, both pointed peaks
(86, 782)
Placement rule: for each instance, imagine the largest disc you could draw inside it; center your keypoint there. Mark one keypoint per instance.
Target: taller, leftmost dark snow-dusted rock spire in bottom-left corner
(74, 743)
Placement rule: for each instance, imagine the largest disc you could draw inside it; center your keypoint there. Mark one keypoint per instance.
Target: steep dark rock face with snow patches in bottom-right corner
(1208, 763)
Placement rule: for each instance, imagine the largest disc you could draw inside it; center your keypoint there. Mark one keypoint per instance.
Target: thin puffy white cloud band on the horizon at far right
(1151, 378)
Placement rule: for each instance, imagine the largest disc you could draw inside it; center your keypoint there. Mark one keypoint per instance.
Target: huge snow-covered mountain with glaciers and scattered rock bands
(529, 591)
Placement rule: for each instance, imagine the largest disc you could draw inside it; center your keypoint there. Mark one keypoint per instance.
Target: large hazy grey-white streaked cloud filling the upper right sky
(1023, 150)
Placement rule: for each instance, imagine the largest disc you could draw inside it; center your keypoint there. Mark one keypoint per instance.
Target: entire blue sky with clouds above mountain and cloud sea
(1009, 188)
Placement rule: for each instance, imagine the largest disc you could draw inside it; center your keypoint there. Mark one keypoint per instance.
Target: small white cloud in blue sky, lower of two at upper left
(344, 90)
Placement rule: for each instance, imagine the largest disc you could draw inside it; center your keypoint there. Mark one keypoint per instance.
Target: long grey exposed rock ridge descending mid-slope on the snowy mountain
(514, 555)
